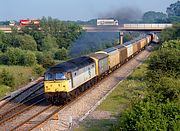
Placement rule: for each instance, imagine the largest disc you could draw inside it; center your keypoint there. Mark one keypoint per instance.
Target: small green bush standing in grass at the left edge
(7, 78)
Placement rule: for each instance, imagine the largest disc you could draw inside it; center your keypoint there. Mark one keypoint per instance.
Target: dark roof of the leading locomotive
(72, 65)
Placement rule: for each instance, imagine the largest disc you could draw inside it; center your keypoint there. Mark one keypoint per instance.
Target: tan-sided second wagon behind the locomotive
(113, 56)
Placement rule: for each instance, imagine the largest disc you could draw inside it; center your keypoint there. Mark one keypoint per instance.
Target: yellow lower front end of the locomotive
(56, 86)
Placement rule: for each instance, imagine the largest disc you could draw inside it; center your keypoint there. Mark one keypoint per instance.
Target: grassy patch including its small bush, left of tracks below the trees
(13, 77)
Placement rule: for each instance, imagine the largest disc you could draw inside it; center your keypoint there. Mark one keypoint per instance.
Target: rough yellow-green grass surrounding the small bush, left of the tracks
(21, 75)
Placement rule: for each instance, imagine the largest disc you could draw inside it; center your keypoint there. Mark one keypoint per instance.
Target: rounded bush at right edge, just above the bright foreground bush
(164, 61)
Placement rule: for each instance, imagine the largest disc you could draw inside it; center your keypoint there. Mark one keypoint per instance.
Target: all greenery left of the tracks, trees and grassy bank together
(35, 49)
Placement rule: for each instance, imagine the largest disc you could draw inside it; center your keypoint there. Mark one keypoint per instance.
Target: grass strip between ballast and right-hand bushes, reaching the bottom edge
(121, 98)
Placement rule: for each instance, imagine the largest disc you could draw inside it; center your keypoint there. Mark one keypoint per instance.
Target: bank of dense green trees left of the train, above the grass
(34, 46)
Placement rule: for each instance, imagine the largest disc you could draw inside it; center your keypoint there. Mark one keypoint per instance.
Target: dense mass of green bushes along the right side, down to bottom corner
(160, 109)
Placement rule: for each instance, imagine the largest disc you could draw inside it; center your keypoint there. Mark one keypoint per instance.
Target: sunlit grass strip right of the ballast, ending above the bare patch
(130, 88)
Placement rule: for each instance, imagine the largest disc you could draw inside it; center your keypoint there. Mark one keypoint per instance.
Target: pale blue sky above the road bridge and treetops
(75, 9)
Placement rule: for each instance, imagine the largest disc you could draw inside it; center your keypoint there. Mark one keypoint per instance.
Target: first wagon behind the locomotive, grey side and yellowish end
(101, 61)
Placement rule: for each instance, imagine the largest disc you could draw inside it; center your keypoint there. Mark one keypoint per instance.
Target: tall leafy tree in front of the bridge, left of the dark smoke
(64, 32)
